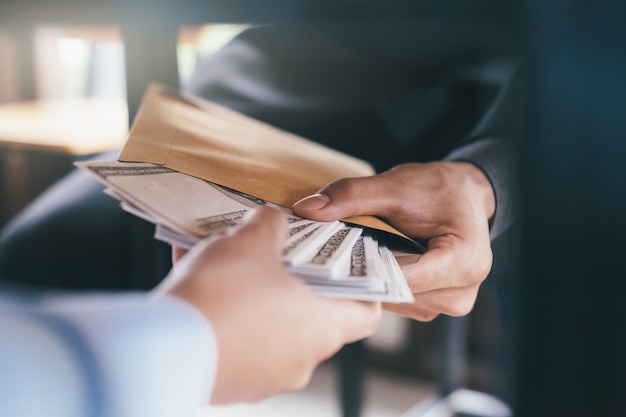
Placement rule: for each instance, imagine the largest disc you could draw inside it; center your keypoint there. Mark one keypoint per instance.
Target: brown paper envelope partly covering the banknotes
(209, 141)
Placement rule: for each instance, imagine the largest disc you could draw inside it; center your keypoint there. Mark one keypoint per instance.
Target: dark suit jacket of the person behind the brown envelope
(402, 88)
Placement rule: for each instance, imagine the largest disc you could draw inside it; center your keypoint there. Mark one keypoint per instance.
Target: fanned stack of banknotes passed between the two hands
(333, 258)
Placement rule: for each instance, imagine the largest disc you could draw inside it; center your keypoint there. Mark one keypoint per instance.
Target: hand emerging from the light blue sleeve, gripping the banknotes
(272, 330)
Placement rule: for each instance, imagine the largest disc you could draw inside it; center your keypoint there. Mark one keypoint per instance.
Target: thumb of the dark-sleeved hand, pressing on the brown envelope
(346, 197)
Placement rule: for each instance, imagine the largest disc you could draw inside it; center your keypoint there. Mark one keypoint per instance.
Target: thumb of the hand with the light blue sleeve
(264, 225)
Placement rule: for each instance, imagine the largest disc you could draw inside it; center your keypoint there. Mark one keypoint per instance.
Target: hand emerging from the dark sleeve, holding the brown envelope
(446, 204)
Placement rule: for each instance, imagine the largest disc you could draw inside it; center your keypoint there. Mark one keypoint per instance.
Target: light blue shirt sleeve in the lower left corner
(104, 356)
